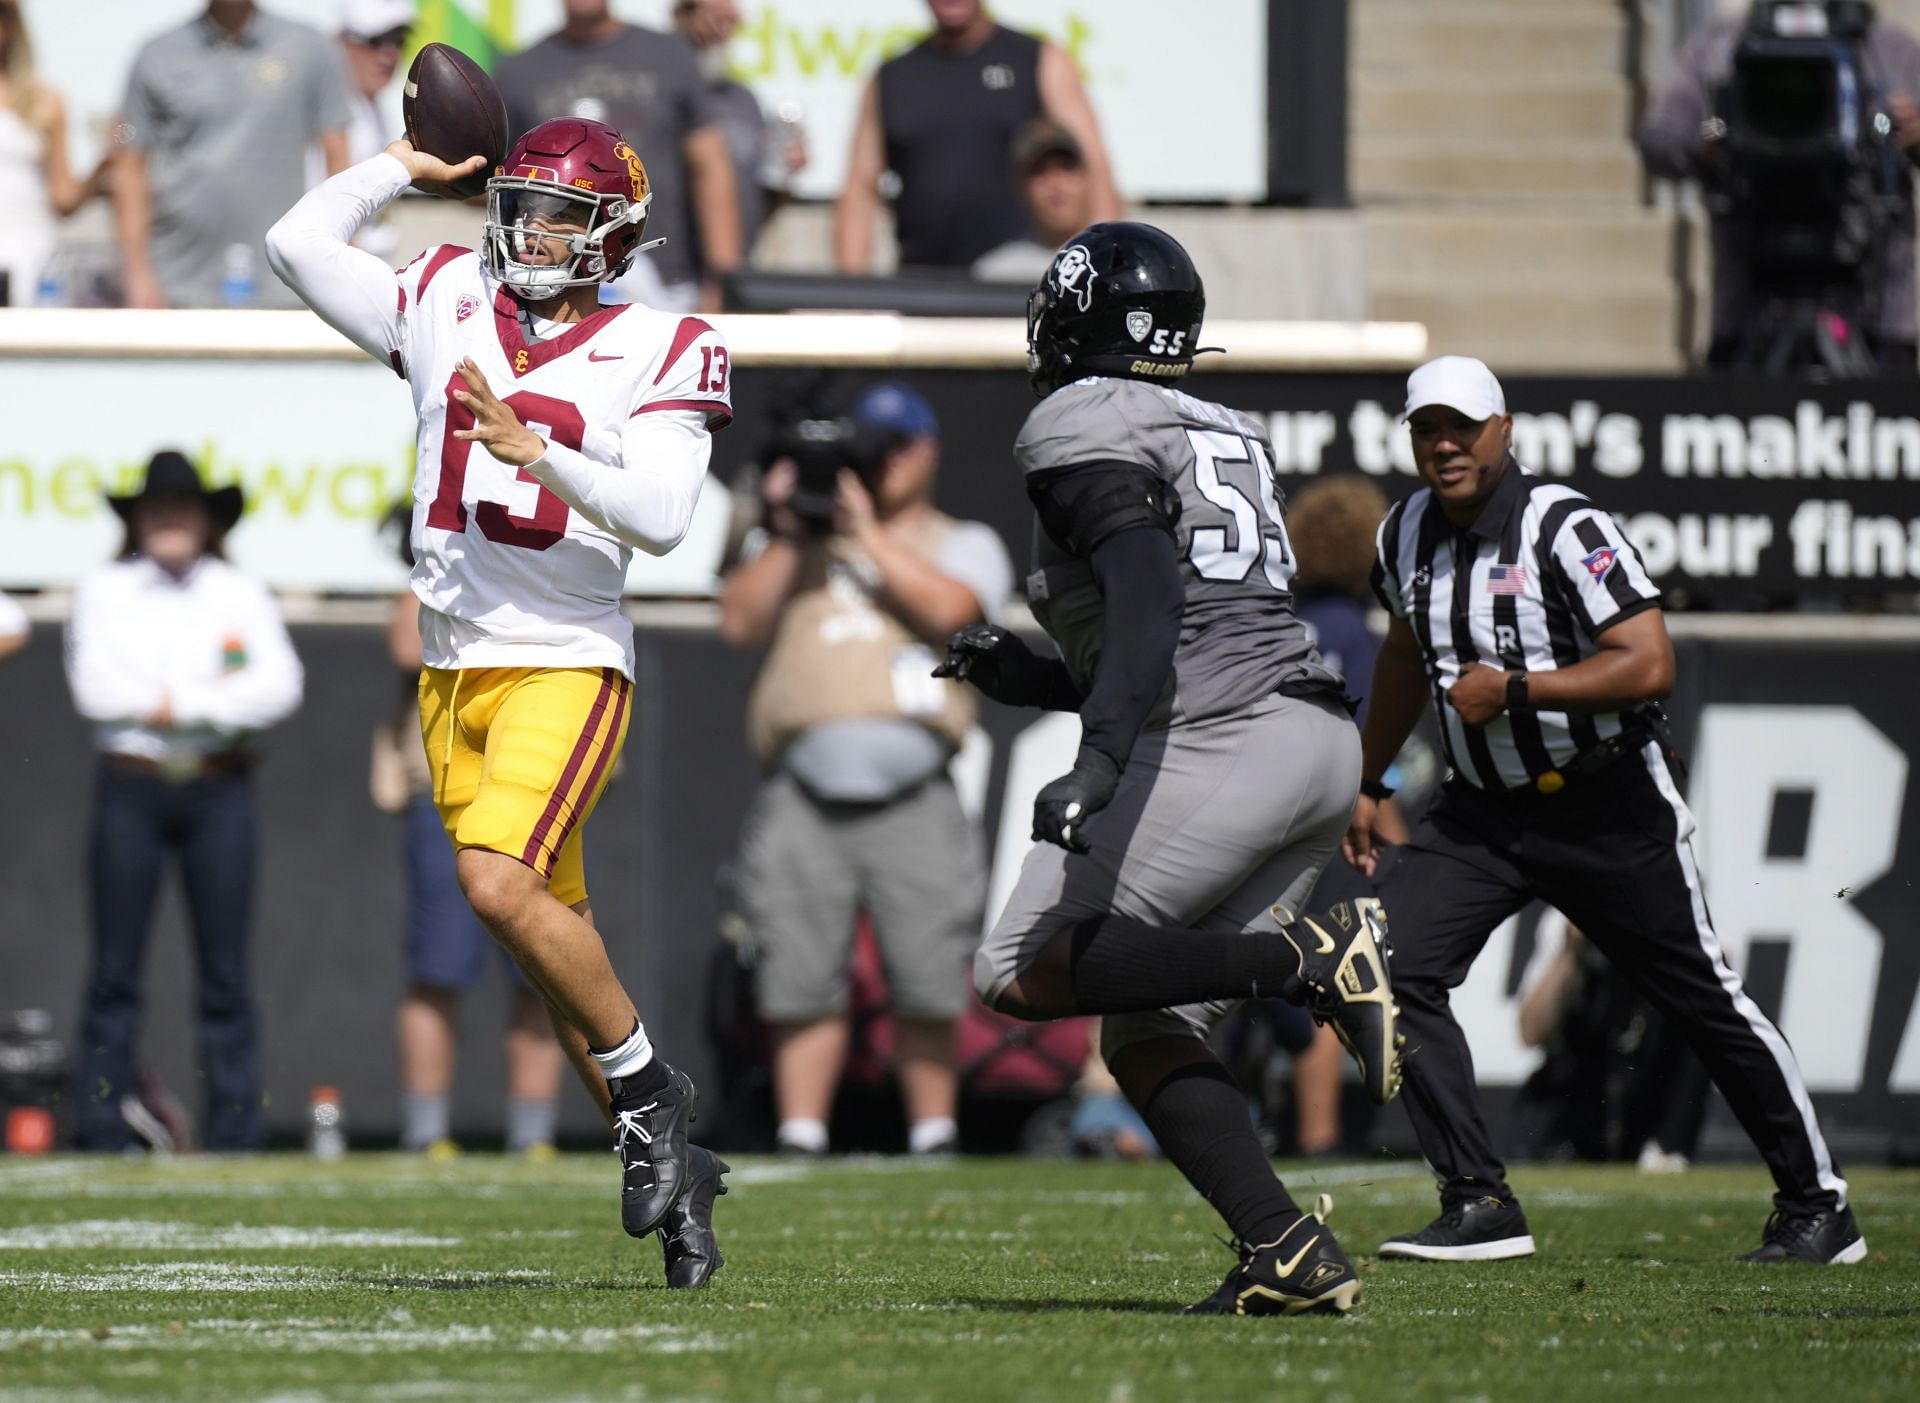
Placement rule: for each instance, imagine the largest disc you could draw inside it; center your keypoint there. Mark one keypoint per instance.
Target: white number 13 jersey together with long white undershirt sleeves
(519, 567)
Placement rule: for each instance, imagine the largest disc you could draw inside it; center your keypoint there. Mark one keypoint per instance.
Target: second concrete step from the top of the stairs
(1431, 107)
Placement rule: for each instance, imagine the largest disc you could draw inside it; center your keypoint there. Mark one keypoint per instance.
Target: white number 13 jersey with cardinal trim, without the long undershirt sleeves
(510, 573)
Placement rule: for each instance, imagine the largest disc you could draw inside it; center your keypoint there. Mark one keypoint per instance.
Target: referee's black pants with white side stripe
(1612, 853)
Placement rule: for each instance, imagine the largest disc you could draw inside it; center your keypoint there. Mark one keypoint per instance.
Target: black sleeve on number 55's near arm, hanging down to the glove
(1140, 577)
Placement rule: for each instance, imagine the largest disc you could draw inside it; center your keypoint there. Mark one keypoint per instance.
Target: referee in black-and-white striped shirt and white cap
(1525, 615)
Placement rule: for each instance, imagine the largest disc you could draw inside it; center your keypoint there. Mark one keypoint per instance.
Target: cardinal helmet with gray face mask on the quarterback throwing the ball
(567, 185)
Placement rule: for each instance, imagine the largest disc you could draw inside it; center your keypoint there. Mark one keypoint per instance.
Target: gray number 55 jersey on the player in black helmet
(1239, 634)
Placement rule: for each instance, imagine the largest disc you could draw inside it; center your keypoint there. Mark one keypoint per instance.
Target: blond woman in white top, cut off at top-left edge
(37, 187)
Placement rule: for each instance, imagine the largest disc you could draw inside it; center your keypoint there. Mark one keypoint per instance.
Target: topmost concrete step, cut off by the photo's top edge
(1481, 47)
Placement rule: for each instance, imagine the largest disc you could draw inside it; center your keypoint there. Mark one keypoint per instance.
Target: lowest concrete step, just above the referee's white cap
(1543, 327)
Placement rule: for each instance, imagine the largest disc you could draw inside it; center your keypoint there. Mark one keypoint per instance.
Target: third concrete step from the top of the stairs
(1441, 170)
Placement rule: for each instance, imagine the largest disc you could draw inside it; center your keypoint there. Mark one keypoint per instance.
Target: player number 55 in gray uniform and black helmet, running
(1218, 761)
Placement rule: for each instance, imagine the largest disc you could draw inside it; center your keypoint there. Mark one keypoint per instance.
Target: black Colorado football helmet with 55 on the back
(1120, 300)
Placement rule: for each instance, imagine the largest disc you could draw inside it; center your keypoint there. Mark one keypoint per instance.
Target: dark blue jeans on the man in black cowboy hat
(208, 828)
